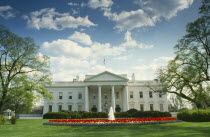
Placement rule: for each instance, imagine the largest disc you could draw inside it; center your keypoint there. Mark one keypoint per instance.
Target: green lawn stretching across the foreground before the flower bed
(34, 128)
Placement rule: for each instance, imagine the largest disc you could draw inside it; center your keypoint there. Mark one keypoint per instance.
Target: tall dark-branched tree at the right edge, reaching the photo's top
(188, 74)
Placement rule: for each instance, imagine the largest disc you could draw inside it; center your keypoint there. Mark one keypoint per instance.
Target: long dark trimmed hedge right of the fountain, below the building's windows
(142, 114)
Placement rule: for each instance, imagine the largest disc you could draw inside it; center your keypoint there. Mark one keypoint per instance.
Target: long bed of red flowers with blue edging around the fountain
(106, 122)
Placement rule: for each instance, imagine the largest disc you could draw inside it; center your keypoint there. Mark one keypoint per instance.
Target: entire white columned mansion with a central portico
(103, 91)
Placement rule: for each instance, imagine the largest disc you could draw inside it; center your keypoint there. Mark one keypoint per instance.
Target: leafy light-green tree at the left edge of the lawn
(23, 70)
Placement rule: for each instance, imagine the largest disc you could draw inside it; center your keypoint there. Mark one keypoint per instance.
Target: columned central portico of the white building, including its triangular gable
(106, 85)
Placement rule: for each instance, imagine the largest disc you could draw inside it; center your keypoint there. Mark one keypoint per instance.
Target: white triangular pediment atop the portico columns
(106, 76)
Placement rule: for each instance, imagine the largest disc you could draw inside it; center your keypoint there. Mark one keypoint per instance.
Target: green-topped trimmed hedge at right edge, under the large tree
(198, 115)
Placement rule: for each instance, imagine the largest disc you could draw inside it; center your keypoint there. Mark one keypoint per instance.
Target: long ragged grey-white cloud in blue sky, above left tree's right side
(48, 18)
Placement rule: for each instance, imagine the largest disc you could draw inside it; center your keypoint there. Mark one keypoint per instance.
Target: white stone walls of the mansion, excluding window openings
(118, 82)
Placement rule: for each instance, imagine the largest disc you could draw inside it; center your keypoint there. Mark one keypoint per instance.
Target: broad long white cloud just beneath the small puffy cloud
(65, 47)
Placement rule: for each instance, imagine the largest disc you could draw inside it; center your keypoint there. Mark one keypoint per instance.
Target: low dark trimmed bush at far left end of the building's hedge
(56, 115)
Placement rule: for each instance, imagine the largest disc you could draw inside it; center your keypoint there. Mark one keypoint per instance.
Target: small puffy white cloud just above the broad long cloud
(81, 38)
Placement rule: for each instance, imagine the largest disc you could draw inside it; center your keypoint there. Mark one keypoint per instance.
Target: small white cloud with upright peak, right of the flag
(129, 42)
